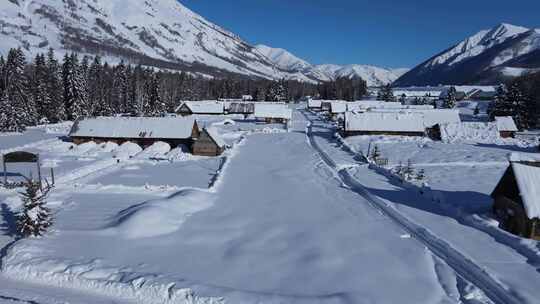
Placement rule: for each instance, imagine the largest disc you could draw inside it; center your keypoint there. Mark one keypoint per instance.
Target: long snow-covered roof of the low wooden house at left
(134, 127)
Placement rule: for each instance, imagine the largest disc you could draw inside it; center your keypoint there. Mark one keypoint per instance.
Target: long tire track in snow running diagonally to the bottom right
(462, 265)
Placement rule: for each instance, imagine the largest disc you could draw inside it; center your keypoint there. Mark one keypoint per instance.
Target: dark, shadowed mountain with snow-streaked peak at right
(488, 56)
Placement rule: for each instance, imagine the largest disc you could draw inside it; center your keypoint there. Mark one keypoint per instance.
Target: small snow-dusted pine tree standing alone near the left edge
(35, 218)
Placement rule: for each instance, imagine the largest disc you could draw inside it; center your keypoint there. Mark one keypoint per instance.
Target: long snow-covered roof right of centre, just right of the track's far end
(387, 122)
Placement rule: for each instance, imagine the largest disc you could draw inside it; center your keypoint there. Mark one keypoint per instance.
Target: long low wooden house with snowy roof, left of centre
(143, 131)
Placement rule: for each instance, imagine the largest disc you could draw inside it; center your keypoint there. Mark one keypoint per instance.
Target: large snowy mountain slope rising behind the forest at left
(161, 33)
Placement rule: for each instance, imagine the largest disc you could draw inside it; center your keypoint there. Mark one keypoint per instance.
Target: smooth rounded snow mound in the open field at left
(160, 217)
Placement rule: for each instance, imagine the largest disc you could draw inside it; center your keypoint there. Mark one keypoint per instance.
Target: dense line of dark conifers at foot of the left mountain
(47, 90)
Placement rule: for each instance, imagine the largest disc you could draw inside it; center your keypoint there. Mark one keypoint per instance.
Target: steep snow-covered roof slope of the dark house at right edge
(528, 181)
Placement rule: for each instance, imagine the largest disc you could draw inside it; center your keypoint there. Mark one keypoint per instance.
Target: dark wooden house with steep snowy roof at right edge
(516, 198)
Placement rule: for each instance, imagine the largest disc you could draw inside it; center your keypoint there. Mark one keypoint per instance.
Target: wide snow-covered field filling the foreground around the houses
(282, 217)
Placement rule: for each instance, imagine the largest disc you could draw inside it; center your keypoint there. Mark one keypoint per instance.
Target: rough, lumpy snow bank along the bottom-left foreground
(96, 276)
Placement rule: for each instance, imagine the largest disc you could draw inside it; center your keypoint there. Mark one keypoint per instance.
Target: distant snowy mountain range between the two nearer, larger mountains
(375, 76)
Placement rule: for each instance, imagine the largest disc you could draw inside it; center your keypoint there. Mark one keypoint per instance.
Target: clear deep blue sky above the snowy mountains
(388, 33)
